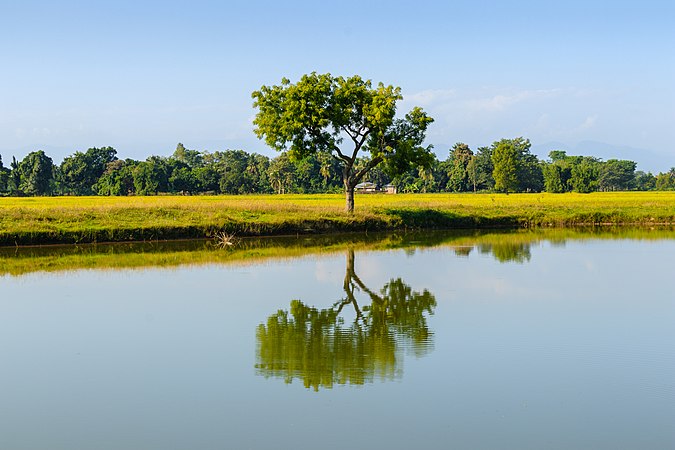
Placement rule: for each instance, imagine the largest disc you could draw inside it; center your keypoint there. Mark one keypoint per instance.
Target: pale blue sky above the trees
(590, 77)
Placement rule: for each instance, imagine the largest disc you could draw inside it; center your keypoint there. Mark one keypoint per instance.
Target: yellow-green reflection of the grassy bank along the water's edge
(504, 245)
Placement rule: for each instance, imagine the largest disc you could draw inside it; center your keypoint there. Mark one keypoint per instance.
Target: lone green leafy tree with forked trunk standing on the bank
(320, 112)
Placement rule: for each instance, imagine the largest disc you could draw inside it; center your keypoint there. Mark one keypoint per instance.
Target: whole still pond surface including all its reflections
(524, 341)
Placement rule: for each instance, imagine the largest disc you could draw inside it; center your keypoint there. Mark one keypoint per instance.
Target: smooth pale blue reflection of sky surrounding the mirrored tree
(574, 347)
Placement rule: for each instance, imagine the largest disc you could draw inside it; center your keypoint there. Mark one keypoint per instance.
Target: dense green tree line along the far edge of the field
(505, 166)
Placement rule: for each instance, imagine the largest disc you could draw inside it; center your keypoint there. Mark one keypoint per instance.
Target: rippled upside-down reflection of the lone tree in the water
(318, 347)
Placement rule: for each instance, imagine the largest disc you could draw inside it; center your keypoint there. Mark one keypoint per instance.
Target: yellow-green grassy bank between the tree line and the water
(47, 220)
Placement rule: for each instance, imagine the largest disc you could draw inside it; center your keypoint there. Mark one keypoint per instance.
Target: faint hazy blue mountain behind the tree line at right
(647, 160)
